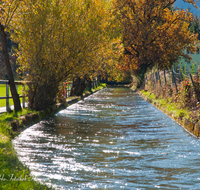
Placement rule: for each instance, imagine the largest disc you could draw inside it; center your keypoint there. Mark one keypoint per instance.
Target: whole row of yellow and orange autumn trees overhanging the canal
(84, 38)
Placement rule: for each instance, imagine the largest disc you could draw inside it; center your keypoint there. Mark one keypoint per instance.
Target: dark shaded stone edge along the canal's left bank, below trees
(27, 120)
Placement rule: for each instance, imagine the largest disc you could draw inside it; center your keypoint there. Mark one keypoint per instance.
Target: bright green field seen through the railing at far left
(3, 94)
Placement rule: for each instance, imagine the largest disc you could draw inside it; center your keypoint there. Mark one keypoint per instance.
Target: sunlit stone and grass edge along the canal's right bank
(192, 128)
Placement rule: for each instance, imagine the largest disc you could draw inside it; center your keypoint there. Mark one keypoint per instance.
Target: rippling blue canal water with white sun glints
(113, 139)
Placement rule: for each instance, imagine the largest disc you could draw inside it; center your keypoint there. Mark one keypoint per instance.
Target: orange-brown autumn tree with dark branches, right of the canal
(154, 34)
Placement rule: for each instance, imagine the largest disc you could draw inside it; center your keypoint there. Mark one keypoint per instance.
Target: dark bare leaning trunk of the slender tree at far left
(15, 95)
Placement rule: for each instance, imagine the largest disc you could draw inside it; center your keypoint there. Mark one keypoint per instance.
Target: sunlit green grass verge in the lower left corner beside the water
(13, 175)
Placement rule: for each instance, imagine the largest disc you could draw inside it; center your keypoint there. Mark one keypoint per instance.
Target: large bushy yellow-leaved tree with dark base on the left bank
(58, 39)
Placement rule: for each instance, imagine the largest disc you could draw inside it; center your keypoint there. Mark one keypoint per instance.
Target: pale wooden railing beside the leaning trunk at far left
(7, 97)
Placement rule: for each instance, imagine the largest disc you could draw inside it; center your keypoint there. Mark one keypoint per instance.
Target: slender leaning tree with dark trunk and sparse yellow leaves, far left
(8, 9)
